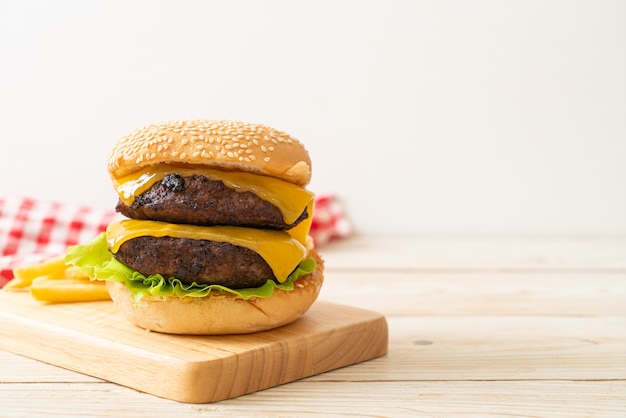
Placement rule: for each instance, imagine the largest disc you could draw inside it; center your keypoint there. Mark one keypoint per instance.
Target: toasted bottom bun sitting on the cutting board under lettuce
(220, 313)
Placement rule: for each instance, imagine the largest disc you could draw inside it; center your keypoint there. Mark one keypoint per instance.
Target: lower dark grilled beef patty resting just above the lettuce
(200, 261)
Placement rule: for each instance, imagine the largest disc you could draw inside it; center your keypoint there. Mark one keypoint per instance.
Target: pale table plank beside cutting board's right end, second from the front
(427, 348)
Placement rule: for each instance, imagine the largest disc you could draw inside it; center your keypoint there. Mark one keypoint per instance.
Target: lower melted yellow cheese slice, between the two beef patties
(282, 252)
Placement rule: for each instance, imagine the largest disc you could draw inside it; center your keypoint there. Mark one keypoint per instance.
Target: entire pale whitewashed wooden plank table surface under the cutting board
(504, 327)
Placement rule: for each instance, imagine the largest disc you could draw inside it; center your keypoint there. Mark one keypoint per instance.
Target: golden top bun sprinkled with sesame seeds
(220, 144)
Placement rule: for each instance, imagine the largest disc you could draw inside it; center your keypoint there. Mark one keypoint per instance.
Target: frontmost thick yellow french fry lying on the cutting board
(64, 290)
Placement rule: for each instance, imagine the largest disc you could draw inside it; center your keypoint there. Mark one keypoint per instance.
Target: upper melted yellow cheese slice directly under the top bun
(289, 198)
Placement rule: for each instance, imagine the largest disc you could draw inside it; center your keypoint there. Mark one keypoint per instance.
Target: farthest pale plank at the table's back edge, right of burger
(386, 253)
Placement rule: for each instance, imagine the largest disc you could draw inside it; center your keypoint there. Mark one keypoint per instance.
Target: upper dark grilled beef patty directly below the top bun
(201, 201)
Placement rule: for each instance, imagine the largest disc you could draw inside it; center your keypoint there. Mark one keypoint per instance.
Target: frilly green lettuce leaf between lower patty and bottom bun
(99, 264)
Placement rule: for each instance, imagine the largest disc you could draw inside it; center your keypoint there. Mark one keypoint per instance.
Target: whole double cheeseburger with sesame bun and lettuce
(216, 237)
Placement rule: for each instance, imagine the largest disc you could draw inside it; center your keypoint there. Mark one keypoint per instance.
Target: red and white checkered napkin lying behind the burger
(32, 230)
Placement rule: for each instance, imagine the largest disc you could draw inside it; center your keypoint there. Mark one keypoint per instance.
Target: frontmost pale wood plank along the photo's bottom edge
(310, 398)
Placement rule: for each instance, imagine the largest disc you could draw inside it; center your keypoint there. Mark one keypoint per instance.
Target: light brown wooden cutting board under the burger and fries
(94, 339)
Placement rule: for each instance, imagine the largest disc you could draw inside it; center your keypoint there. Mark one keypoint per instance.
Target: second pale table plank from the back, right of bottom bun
(487, 293)
